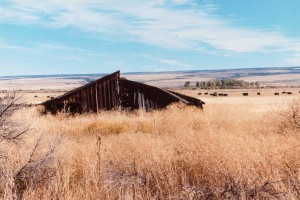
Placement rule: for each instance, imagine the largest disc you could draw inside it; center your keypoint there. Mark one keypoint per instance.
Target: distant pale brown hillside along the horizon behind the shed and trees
(279, 77)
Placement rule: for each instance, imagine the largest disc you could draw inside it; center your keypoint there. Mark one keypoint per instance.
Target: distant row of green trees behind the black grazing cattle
(223, 84)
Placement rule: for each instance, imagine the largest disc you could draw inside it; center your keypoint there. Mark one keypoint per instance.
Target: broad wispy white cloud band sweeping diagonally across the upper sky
(152, 23)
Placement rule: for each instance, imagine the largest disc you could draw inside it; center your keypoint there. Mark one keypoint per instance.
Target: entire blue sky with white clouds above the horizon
(101, 36)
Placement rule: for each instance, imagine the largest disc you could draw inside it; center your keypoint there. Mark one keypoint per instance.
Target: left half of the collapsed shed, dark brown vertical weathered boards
(101, 94)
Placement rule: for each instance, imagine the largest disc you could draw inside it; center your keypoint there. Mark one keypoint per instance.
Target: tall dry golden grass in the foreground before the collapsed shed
(225, 151)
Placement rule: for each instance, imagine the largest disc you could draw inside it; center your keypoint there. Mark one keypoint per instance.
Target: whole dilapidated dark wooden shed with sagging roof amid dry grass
(112, 92)
